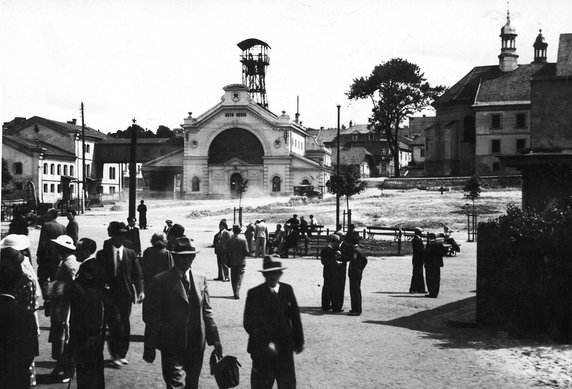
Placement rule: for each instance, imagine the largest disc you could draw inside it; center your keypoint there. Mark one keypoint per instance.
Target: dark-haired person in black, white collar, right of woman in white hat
(87, 324)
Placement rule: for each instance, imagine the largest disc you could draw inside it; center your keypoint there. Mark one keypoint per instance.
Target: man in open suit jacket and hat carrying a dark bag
(179, 320)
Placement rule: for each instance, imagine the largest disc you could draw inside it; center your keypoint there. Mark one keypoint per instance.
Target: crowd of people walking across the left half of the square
(88, 296)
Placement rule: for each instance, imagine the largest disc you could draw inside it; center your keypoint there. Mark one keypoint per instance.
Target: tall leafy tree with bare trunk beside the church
(397, 89)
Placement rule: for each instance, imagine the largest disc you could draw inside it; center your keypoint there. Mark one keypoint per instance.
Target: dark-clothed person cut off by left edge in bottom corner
(18, 329)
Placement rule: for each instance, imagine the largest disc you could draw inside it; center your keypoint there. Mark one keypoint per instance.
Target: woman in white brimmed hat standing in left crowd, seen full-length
(60, 307)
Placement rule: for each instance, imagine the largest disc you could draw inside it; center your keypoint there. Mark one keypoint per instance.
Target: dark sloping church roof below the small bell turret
(488, 85)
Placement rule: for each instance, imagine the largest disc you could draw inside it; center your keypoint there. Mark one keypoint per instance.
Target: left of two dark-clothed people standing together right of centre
(334, 275)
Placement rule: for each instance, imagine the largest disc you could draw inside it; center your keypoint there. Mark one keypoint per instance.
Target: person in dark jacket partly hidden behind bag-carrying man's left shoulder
(156, 259)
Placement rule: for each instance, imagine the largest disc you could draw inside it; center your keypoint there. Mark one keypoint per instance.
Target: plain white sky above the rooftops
(156, 60)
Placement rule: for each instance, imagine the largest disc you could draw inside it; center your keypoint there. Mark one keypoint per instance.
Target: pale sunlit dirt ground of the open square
(400, 341)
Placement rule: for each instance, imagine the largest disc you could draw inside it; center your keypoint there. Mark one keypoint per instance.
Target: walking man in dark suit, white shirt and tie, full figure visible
(124, 279)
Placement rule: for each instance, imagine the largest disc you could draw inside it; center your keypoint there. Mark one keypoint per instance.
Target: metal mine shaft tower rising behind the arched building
(255, 60)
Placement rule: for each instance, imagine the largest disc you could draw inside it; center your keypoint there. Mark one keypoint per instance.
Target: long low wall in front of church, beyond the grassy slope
(434, 183)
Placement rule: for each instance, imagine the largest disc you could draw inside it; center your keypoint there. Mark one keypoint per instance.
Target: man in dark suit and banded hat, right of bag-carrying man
(272, 320)
